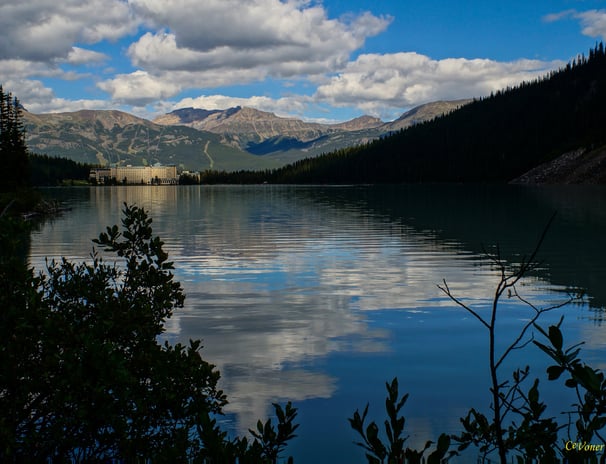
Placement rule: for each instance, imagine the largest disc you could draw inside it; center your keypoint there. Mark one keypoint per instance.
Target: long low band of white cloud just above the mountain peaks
(381, 85)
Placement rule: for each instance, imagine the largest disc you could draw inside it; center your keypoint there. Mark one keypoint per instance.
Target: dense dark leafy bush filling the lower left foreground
(83, 377)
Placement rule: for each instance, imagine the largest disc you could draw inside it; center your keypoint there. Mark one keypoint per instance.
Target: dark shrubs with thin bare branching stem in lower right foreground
(517, 427)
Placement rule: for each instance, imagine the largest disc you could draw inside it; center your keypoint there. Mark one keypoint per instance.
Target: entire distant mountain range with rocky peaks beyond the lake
(234, 139)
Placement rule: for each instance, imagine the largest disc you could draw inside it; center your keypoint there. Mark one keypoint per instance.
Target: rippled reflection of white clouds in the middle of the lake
(274, 288)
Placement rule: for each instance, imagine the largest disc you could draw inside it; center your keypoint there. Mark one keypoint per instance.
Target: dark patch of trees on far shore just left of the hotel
(46, 170)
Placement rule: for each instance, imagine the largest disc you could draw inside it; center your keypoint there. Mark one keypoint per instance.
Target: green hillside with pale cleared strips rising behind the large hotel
(106, 137)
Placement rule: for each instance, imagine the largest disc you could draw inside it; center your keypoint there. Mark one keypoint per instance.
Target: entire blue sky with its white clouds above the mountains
(328, 60)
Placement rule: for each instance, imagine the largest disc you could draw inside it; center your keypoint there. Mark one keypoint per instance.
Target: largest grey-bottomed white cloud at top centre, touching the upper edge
(218, 43)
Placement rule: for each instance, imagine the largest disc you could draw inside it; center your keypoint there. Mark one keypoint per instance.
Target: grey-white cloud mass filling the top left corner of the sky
(39, 36)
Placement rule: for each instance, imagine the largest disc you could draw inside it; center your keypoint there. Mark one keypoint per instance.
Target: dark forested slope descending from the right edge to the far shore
(492, 139)
